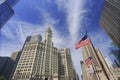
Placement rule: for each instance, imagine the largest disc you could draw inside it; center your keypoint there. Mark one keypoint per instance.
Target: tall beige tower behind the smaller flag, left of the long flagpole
(95, 70)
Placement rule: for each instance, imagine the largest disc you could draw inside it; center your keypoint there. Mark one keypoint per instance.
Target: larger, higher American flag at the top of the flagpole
(85, 40)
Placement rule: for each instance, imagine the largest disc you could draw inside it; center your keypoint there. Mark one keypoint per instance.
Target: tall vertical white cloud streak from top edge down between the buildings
(75, 12)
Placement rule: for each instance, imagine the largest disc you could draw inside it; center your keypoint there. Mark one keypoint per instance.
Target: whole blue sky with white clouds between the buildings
(69, 19)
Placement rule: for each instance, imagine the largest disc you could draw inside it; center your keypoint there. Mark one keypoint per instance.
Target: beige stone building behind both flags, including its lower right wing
(97, 69)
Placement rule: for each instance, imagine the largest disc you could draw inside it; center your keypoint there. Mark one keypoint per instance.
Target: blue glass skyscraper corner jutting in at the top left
(6, 11)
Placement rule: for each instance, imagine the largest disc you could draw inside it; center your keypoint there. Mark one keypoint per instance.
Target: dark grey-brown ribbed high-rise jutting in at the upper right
(110, 20)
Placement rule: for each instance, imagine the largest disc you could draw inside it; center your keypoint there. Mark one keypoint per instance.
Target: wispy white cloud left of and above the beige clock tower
(16, 32)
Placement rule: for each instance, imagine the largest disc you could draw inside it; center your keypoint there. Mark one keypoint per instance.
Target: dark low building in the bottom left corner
(6, 66)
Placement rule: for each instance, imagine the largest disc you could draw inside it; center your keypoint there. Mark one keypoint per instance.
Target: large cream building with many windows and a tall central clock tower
(40, 60)
